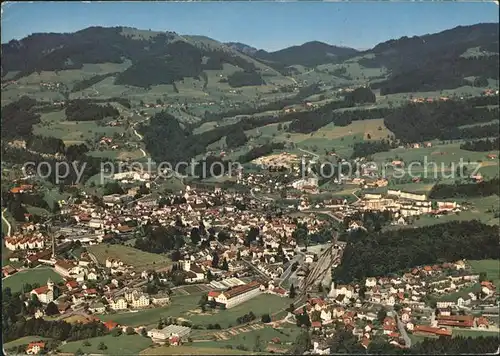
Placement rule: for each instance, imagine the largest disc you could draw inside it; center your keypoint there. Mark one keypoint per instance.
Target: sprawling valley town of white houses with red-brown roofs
(111, 263)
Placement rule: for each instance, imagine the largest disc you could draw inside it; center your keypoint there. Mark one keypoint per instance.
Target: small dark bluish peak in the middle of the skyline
(308, 54)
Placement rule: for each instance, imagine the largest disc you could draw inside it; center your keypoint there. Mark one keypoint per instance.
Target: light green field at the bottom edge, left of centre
(120, 345)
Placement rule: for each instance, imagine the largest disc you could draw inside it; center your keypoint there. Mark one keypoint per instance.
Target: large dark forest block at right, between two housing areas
(384, 253)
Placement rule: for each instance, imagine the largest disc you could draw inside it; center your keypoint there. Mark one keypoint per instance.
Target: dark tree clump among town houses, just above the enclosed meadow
(160, 239)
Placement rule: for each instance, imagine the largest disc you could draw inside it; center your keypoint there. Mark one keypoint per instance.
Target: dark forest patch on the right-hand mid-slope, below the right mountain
(438, 120)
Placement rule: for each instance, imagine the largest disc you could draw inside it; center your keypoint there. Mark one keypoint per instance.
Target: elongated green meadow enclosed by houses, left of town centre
(131, 256)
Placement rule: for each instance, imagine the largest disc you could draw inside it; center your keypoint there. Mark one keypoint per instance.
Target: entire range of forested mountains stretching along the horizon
(421, 63)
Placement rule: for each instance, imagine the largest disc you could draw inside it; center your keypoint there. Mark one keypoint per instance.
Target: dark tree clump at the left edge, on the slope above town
(18, 118)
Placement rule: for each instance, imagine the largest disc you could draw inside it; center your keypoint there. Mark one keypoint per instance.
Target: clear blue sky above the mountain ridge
(264, 25)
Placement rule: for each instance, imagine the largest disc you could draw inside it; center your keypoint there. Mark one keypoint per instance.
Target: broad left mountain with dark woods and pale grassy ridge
(157, 57)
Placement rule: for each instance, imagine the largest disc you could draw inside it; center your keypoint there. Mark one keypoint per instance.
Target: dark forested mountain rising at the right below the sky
(436, 61)
